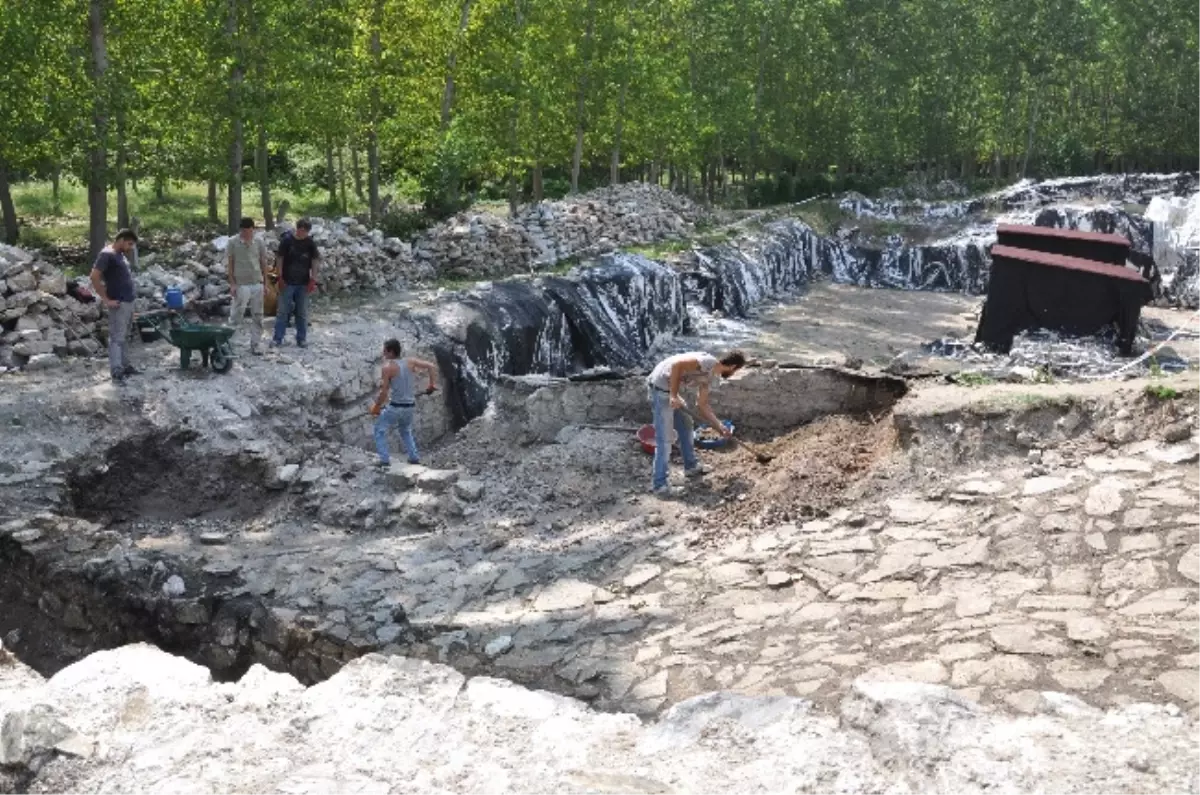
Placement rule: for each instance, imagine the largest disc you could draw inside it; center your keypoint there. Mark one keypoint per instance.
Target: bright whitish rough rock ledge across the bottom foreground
(136, 720)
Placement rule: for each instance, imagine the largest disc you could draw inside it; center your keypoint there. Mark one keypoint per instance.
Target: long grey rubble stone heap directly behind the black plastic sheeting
(479, 246)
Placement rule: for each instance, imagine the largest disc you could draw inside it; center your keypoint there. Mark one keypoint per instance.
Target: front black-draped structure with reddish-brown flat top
(1039, 290)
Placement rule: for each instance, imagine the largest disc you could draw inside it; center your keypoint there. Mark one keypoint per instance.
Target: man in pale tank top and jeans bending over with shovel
(670, 411)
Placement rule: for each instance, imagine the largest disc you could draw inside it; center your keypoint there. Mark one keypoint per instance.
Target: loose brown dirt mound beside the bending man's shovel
(815, 469)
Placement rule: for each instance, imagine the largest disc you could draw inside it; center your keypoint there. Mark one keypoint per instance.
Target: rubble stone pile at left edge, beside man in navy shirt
(40, 320)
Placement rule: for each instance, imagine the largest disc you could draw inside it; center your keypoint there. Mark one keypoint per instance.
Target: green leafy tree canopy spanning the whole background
(525, 97)
